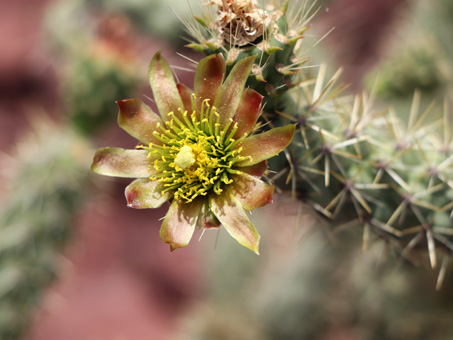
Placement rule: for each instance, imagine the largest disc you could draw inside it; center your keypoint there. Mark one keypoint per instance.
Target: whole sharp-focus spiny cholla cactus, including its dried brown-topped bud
(353, 162)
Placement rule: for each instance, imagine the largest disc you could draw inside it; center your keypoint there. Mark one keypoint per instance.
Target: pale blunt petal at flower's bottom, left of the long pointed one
(179, 223)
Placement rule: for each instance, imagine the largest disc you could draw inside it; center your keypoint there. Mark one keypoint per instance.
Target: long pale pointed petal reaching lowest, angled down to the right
(230, 213)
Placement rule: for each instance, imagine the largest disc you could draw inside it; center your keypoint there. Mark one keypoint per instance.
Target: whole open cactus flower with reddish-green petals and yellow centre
(201, 153)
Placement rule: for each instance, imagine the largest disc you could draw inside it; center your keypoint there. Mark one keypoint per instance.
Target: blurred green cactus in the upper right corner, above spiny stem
(417, 54)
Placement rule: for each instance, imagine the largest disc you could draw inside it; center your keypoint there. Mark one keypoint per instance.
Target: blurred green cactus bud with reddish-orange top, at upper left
(99, 73)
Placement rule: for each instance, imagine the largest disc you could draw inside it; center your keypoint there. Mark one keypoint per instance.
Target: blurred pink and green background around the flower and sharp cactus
(76, 263)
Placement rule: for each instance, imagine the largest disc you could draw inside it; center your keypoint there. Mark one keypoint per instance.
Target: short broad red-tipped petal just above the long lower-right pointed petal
(251, 192)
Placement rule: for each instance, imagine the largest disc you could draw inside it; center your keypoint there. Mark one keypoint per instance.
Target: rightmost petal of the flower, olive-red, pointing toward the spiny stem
(266, 145)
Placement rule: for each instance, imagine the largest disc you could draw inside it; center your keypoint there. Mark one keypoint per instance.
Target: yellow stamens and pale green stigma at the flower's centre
(197, 156)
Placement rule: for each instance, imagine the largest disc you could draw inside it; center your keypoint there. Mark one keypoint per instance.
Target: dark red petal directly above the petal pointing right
(248, 112)
